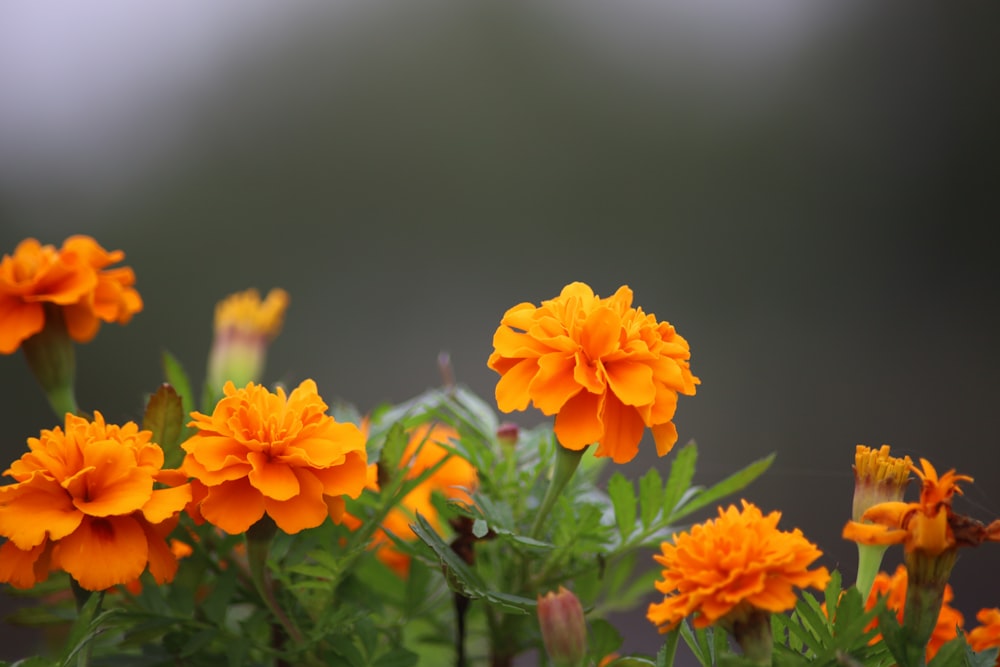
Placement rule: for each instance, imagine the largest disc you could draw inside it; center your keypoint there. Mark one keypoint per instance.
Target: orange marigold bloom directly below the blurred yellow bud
(271, 452)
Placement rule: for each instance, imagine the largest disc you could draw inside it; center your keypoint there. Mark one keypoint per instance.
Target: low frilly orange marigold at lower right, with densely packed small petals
(732, 565)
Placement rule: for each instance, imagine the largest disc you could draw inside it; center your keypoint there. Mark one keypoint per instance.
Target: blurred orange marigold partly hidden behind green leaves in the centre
(454, 479)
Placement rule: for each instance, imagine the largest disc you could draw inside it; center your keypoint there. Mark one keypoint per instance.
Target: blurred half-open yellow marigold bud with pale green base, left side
(244, 325)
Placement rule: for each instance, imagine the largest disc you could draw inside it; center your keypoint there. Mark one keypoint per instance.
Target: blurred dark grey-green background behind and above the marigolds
(806, 190)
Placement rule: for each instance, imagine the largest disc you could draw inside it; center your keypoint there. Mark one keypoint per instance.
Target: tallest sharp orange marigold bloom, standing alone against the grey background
(606, 370)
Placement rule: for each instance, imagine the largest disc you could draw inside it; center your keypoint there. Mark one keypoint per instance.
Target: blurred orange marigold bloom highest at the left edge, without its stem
(75, 279)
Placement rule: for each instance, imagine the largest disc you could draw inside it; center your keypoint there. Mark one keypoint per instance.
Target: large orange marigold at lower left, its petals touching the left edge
(85, 501)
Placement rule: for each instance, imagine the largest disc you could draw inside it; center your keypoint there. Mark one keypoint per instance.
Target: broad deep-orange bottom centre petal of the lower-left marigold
(104, 552)
